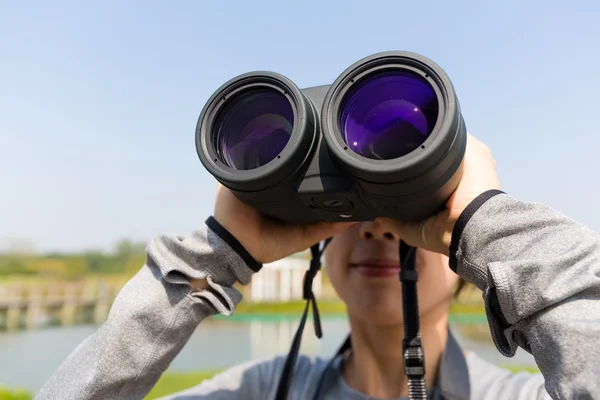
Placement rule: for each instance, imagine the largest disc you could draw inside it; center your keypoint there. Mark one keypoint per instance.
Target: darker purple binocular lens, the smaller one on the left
(253, 128)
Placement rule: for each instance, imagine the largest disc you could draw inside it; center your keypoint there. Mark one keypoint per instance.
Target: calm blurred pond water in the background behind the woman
(28, 358)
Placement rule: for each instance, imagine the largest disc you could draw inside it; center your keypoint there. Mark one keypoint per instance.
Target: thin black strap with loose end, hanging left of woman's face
(287, 372)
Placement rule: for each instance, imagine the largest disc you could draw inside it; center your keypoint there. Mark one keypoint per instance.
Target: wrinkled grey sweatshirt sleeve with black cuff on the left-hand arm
(154, 315)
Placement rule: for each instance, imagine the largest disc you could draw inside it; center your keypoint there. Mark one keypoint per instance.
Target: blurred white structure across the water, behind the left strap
(283, 280)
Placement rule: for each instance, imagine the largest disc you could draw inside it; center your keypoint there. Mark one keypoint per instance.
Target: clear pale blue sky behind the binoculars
(98, 102)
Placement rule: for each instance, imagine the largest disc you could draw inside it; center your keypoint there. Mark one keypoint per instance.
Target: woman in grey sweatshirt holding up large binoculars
(539, 272)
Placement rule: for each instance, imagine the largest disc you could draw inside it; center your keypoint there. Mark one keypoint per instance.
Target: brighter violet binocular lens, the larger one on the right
(388, 115)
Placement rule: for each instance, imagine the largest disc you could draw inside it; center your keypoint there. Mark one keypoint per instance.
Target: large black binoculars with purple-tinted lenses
(386, 139)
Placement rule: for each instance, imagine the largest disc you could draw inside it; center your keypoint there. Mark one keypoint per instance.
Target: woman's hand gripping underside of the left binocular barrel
(266, 239)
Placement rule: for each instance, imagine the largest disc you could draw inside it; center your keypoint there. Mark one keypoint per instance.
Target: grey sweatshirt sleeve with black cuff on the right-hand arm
(540, 276)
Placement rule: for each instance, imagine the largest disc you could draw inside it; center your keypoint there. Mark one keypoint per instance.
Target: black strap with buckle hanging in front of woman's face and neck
(414, 359)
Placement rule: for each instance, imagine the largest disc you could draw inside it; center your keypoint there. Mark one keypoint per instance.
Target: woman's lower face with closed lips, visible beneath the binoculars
(363, 266)
